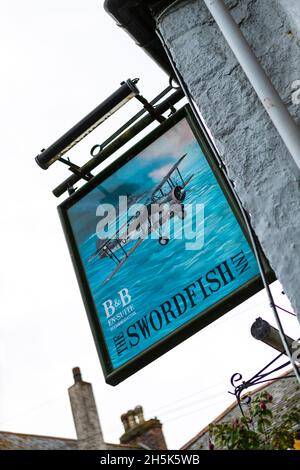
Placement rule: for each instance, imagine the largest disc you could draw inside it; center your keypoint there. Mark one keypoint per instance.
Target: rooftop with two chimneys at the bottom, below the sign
(138, 432)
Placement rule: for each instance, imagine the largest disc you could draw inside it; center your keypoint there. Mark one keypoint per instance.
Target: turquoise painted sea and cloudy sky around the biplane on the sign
(157, 289)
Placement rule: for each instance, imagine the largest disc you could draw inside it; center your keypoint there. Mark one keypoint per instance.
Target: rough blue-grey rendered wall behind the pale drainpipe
(264, 175)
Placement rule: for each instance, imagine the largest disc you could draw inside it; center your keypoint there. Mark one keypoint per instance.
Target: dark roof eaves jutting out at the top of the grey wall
(135, 17)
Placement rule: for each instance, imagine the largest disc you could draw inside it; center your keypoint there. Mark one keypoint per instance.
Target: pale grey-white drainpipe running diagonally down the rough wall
(282, 120)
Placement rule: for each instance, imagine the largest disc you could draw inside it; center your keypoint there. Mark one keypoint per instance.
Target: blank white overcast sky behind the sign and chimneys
(59, 59)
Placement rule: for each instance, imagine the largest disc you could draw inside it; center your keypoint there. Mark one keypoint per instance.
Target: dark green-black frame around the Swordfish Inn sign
(113, 376)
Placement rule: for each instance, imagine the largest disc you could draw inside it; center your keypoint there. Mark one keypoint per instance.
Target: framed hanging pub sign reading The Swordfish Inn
(159, 247)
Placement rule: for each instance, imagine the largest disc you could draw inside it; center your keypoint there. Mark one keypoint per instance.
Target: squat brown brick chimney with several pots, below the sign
(147, 434)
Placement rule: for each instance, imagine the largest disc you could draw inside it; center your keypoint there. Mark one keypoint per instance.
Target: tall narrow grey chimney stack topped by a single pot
(85, 415)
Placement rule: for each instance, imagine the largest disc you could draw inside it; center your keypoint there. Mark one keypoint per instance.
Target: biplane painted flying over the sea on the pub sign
(167, 197)
